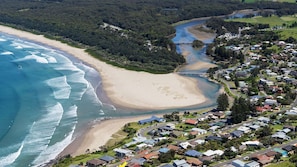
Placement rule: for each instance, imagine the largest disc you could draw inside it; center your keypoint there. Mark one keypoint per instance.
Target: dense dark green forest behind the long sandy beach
(134, 34)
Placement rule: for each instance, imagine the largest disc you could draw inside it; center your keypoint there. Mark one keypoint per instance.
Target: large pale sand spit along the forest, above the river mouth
(130, 89)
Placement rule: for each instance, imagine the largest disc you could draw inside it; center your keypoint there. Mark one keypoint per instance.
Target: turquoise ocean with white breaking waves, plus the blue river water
(47, 97)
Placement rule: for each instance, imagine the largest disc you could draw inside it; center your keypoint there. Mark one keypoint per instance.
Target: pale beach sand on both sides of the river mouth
(139, 90)
